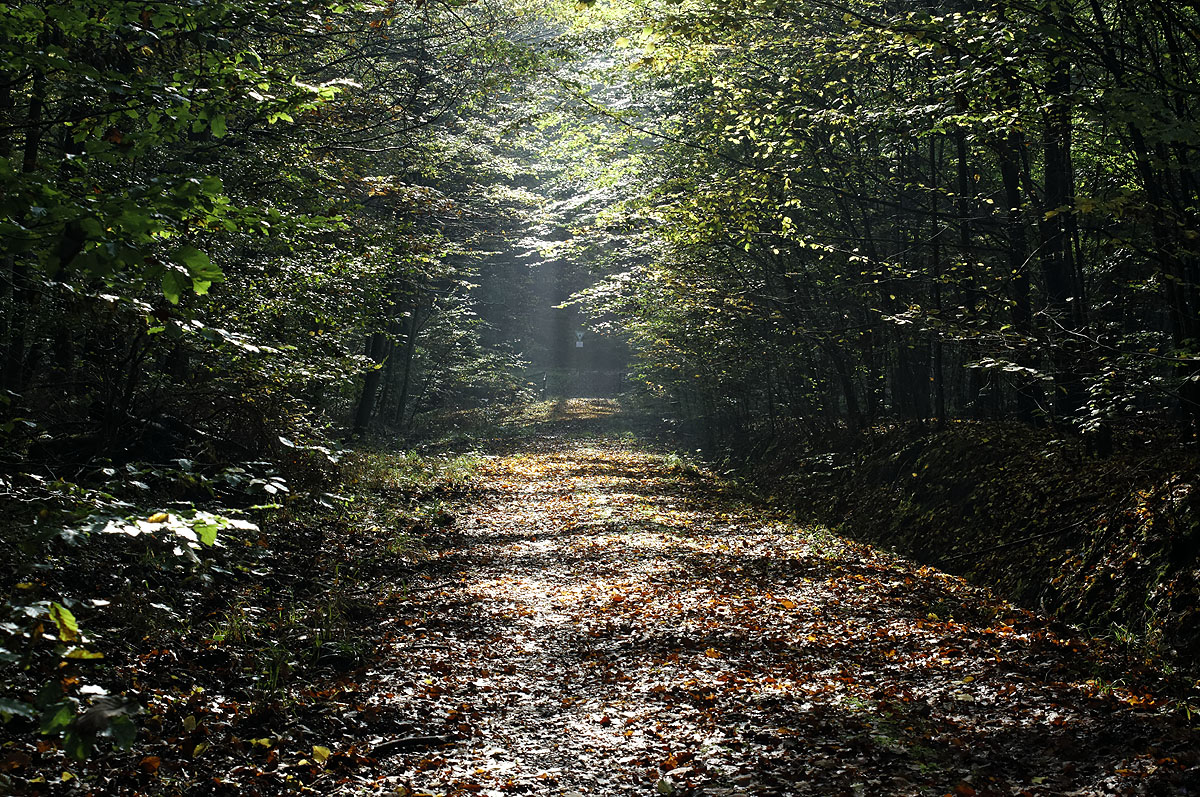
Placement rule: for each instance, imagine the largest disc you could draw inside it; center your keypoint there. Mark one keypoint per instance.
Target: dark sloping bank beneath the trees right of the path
(1109, 542)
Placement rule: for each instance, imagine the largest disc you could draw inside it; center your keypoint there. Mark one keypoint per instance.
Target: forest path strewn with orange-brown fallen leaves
(611, 622)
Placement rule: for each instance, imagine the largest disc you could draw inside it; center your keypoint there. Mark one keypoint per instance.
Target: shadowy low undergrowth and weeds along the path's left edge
(121, 614)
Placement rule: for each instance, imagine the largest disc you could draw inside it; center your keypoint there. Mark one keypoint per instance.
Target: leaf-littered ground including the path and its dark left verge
(575, 613)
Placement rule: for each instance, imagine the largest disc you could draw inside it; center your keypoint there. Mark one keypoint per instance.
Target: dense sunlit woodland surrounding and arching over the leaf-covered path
(248, 245)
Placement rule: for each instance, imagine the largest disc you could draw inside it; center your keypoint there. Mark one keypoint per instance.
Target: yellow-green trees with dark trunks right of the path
(871, 212)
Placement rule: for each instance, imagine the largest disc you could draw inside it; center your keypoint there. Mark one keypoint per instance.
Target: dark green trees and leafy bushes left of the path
(207, 213)
